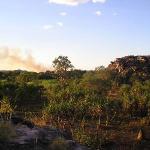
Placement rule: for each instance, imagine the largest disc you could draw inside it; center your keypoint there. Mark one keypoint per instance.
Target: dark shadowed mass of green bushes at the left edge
(24, 96)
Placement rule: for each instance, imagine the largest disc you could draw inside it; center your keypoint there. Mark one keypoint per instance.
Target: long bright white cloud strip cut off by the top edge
(75, 2)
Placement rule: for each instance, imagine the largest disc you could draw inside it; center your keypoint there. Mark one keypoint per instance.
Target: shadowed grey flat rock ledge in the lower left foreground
(40, 138)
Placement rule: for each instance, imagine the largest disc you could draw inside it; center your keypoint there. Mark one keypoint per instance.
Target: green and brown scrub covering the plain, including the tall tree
(90, 105)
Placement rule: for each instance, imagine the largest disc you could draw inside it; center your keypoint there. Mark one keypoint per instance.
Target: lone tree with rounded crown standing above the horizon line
(61, 65)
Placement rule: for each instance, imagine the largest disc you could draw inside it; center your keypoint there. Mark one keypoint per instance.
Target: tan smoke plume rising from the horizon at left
(14, 59)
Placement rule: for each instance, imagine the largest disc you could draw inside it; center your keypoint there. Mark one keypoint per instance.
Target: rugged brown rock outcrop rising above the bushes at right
(129, 65)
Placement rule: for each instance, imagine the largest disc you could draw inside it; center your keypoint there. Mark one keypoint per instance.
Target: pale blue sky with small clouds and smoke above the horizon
(90, 32)
